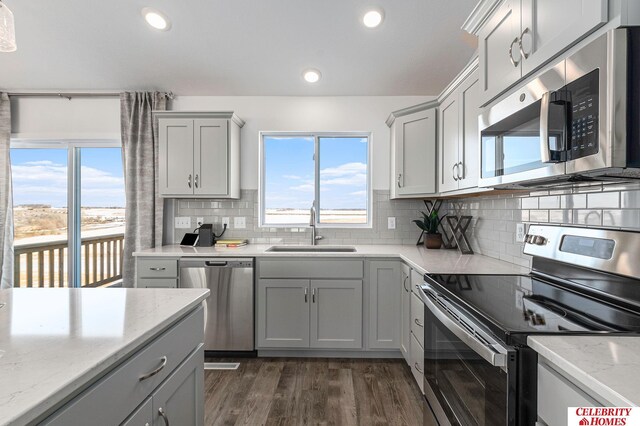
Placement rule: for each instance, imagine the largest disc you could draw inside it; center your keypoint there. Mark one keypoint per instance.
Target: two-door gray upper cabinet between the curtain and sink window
(199, 154)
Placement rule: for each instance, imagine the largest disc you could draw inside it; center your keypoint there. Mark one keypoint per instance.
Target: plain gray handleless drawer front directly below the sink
(311, 269)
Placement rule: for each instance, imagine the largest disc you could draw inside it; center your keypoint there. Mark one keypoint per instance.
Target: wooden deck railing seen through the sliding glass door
(45, 264)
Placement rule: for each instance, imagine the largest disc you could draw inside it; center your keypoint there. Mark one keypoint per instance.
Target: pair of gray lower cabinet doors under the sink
(294, 313)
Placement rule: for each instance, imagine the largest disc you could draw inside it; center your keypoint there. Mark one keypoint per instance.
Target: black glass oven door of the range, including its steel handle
(469, 377)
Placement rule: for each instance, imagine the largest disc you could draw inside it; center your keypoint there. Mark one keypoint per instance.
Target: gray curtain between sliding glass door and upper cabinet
(144, 210)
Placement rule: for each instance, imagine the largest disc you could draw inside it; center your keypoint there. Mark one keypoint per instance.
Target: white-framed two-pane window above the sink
(328, 171)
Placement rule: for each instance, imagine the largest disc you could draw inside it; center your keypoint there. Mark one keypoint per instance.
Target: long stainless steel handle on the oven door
(495, 354)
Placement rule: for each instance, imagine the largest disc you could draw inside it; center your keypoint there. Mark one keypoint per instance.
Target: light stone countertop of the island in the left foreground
(54, 342)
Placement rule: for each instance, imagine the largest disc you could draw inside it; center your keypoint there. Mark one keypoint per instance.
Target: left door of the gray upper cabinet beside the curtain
(175, 156)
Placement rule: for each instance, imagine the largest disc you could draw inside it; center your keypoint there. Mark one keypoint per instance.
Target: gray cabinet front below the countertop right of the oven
(555, 394)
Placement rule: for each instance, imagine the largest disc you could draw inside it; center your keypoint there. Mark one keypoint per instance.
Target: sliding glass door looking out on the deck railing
(69, 205)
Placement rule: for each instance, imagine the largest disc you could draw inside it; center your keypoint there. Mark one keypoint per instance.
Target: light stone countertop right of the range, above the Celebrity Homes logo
(607, 365)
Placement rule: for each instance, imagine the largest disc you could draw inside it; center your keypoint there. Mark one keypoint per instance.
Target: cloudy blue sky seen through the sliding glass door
(40, 177)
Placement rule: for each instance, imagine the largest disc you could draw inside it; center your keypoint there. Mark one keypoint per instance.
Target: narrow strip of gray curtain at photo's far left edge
(6, 195)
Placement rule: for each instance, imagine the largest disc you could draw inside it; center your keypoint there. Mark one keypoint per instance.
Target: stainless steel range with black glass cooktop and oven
(478, 367)
